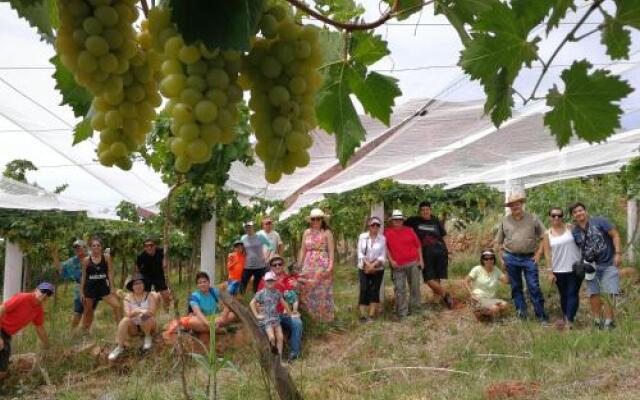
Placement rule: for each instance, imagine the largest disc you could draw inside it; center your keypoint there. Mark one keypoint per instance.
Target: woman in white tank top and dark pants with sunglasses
(561, 252)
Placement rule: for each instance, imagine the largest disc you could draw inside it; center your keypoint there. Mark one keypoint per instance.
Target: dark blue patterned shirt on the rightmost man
(599, 245)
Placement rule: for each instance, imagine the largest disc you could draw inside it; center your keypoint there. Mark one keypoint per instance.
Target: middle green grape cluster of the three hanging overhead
(200, 85)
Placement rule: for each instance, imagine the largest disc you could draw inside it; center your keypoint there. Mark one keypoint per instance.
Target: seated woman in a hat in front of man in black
(139, 310)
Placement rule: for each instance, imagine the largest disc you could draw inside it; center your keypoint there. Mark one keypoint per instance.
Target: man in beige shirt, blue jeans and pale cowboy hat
(518, 238)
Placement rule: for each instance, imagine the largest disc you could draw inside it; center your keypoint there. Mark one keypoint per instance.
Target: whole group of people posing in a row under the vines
(414, 247)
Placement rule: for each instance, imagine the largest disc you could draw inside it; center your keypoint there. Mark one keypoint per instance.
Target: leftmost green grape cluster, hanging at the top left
(98, 43)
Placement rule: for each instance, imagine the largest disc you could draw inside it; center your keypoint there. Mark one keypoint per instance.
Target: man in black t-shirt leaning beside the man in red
(435, 254)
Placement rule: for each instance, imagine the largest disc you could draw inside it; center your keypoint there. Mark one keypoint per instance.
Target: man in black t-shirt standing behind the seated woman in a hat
(152, 265)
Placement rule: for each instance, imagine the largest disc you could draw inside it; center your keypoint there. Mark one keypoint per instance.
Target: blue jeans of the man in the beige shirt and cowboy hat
(516, 266)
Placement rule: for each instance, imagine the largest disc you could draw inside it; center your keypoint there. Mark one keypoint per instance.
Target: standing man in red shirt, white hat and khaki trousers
(405, 256)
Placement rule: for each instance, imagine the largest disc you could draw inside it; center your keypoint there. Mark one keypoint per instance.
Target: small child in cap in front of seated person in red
(269, 298)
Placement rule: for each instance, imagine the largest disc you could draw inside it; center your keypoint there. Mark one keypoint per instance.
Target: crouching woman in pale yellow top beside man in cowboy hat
(482, 282)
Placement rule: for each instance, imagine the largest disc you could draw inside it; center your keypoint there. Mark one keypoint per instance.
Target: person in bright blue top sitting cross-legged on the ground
(204, 306)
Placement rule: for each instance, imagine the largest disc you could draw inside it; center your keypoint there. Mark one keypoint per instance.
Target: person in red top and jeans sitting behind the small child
(291, 324)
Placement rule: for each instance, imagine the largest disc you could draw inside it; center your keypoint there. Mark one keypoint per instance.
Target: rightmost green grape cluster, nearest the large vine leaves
(281, 71)
